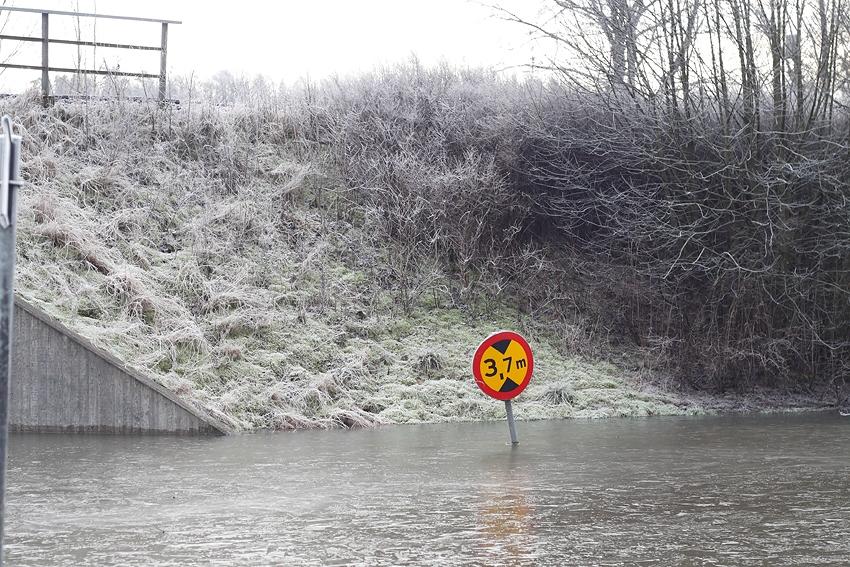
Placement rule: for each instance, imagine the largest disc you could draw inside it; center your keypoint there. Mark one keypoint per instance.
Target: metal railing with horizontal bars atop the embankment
(46, 40)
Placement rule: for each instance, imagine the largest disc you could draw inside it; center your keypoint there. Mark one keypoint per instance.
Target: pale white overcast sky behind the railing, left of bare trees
(283, 40)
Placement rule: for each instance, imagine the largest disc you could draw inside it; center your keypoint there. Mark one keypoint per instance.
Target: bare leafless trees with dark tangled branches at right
(707, 153)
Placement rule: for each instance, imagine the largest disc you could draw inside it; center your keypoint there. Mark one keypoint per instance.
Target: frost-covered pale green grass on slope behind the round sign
(216, 251)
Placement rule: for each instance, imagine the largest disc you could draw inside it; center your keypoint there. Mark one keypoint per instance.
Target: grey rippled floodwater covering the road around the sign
(768, 490)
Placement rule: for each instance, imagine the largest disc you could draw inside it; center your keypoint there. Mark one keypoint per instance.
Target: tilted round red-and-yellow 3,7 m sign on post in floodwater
(502, 366)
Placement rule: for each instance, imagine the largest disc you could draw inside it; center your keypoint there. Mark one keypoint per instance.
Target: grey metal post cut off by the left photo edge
(10, 153)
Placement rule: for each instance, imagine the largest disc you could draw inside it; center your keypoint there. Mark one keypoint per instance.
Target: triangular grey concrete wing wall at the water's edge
(62, 382)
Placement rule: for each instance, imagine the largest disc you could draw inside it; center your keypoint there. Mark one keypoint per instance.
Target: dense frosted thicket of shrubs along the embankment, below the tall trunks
(729, 253)
